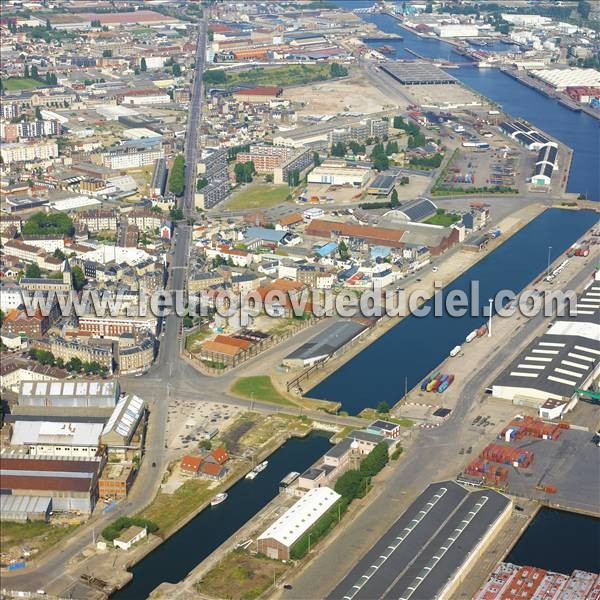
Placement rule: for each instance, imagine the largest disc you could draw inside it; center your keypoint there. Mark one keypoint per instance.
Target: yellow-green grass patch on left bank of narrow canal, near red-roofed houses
(167, 510)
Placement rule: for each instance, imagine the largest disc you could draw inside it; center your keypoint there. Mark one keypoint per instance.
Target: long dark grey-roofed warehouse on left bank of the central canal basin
(325, 345)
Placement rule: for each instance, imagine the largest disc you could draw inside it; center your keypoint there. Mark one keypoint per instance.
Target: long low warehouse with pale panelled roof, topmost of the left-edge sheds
(72, 394)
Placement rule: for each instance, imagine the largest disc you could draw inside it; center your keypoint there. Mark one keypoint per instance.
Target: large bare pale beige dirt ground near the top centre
(327, 98)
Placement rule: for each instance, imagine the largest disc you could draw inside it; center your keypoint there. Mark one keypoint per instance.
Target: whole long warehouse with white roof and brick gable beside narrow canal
(277, 541)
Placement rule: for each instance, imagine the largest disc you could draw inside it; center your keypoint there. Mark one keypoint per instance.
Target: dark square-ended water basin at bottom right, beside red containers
(559, 541)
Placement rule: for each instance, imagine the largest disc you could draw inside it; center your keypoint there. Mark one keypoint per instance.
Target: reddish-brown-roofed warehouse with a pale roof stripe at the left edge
(71, 483)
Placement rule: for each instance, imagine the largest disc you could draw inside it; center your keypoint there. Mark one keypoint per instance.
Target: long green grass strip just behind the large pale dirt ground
(280, 76)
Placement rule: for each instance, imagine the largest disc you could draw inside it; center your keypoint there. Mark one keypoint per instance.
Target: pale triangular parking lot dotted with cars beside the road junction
(190, 422)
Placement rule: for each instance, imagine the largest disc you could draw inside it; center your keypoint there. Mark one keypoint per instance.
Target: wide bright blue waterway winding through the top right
(579, 131)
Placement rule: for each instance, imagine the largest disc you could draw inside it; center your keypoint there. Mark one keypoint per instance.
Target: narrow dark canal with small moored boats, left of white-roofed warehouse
(180, 553)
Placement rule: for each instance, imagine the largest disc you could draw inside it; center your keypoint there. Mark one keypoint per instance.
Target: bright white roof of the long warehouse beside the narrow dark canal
(301, 517)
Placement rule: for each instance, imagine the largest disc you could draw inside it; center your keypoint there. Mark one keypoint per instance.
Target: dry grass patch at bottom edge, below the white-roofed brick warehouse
(240, 576)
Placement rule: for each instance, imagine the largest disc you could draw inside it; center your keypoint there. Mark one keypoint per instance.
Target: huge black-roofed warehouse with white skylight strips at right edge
(566, 358)
